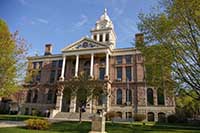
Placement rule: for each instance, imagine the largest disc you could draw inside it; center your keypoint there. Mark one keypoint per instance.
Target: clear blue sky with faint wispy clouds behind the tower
(61, 22)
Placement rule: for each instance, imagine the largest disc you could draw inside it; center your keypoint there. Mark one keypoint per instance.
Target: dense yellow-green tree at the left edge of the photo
(12, 54)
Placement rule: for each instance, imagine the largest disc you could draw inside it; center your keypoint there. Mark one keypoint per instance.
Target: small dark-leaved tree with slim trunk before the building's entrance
(84, 89)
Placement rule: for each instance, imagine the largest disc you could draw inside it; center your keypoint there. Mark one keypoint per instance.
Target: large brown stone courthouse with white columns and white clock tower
(121, 68)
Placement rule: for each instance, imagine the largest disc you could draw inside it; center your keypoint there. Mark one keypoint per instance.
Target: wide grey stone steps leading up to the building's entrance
(72, 116)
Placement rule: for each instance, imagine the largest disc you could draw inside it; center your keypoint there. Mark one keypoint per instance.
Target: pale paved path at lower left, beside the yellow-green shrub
(11, 123)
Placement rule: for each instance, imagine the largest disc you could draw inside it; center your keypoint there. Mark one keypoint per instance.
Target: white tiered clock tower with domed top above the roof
(104, 31)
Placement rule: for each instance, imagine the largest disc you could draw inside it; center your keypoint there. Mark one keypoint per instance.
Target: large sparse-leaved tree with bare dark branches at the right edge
(176, 27)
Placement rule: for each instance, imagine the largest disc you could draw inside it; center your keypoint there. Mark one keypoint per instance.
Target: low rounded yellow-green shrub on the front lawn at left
(38, 124)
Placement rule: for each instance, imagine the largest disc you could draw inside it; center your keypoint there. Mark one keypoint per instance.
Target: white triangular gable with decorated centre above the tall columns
(84, 43)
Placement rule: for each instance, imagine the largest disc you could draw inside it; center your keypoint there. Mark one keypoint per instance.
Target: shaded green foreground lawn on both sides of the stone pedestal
(75, 127)
